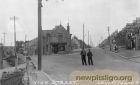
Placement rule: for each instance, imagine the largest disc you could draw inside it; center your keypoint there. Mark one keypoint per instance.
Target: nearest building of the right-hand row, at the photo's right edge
(133, 34)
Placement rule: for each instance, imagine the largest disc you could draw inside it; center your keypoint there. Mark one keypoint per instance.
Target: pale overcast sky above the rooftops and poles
(96, 15)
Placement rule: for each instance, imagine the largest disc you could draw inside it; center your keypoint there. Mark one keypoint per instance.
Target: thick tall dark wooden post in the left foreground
(39, 36)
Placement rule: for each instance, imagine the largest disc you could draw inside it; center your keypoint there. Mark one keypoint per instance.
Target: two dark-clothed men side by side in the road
(83, 57)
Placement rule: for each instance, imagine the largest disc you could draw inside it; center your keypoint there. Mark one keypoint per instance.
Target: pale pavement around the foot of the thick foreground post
(36, 77)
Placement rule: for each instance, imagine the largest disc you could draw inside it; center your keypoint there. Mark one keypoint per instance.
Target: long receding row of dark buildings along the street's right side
(129, 36)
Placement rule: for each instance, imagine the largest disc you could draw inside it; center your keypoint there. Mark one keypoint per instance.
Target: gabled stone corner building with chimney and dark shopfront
(56, 40)
